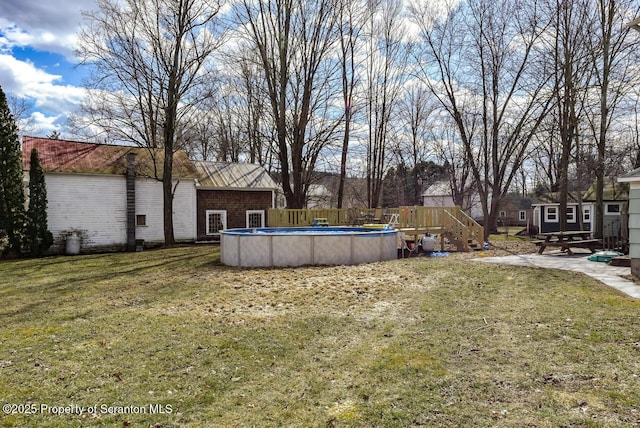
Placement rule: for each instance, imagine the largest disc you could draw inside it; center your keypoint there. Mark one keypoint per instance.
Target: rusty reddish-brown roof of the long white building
(88, 158)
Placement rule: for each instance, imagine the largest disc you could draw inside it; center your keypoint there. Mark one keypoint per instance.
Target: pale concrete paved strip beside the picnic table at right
(578, 262)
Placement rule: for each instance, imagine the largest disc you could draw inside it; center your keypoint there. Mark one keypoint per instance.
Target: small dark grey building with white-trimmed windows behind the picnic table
(581, 215)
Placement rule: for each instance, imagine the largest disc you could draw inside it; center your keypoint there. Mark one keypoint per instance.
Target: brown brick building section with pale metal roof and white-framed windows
(232, 195)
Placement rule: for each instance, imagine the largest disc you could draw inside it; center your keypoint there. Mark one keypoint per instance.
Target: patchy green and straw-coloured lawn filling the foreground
(171, 338)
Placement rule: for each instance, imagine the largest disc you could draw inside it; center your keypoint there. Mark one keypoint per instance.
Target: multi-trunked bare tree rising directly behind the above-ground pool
(293, 39)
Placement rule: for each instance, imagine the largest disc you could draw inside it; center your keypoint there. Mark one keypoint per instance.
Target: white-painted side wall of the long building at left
(95, 207)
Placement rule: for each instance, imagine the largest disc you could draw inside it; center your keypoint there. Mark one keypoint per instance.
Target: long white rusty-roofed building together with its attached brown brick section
(90, 194)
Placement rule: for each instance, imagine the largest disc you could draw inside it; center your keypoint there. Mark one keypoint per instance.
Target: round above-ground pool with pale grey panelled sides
(298, 246)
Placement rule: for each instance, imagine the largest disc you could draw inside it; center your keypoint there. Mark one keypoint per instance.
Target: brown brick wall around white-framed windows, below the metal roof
(235, 202)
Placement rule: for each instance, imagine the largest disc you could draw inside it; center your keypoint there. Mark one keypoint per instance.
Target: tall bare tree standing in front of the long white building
(147, 59)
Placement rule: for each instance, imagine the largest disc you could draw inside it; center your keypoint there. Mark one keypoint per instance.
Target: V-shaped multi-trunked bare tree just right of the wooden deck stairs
(488, 75)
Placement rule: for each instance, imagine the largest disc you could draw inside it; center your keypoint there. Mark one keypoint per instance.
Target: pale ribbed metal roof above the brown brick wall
(216, 175)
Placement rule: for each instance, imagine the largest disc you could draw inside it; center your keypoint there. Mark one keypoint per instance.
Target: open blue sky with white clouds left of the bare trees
(37, 64)
